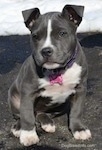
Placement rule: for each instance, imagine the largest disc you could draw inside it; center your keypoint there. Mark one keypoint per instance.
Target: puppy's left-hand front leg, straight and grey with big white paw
(28, 134)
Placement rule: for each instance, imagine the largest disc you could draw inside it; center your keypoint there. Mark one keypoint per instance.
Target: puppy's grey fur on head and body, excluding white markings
(26, 85)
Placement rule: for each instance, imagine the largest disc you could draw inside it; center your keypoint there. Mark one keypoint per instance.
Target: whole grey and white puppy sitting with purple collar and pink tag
(52, 81)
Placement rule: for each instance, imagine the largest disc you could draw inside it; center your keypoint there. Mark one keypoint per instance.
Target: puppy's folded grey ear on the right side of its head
(74, 13)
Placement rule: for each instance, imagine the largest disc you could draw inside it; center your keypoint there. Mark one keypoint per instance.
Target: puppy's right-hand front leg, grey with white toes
(79, 131)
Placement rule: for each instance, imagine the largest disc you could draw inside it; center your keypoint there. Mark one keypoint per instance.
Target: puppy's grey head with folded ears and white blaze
(53, 34)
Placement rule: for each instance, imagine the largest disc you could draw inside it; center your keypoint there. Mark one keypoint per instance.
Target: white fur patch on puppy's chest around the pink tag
(59, 93)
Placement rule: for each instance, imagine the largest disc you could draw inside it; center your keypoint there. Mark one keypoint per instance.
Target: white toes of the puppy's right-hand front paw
(82, 135)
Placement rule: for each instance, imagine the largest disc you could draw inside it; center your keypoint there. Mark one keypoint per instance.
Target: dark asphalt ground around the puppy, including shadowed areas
(13, 51)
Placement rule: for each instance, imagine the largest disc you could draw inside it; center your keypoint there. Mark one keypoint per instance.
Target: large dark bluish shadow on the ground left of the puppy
(13, 50)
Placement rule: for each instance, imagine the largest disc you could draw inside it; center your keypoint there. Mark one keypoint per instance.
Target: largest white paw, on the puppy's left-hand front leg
(28, 138)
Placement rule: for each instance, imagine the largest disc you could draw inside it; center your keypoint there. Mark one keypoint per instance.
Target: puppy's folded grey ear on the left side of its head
(30, 16)
